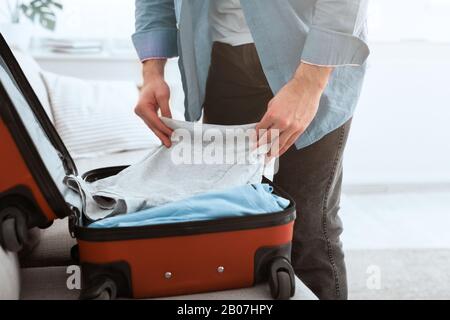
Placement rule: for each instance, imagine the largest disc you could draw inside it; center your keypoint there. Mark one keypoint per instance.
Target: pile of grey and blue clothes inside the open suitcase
(160, 189)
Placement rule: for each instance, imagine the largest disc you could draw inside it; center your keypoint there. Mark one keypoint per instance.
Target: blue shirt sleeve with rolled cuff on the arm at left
(156, 29)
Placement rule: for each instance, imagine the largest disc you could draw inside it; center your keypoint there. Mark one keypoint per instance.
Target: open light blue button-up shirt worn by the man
(285, 32)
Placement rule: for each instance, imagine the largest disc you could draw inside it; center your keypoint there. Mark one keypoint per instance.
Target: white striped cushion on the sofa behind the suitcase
(96, 117)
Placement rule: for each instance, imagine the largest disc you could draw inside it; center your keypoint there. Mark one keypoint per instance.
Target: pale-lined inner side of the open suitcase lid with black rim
(34, 134)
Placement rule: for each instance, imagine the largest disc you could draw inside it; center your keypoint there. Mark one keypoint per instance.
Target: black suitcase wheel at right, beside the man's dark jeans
(281, 279)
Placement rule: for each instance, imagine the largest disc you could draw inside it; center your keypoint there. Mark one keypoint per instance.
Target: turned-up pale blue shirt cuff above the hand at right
(334, 49)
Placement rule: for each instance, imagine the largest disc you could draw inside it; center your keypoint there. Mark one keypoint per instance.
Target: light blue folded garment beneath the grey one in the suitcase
(250, 199)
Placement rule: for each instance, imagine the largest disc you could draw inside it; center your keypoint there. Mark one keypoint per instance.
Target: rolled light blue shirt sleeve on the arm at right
(335, 36)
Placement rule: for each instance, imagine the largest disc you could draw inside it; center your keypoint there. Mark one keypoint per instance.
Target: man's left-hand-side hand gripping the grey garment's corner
(154, 96)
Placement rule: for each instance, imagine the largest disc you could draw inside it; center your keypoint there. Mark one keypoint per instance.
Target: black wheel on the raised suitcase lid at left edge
(14, 230)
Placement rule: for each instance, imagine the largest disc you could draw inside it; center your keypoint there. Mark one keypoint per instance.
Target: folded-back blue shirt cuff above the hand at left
(160, 43)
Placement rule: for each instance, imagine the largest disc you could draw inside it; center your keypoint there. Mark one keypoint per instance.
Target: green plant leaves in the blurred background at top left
(42, 11)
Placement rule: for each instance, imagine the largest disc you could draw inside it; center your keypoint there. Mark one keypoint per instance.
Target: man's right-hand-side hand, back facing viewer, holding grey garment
(294, 107)
